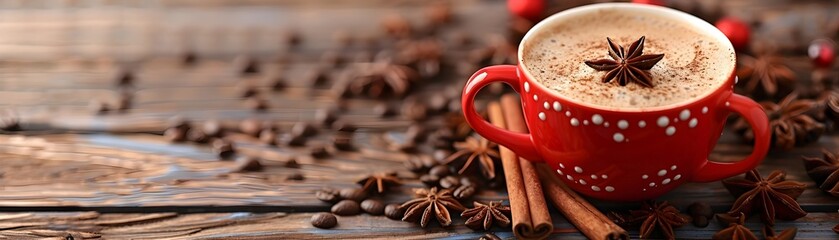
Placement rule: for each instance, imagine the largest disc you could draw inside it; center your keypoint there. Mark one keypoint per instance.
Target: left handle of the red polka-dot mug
(520, 143)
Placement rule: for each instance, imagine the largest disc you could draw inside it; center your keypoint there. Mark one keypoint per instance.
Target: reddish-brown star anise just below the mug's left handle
(476, 148)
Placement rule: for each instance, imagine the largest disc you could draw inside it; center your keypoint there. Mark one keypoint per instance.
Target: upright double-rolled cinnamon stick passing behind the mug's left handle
(531, 219)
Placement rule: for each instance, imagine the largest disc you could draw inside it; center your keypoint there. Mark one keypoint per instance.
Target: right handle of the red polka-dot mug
(756, 117)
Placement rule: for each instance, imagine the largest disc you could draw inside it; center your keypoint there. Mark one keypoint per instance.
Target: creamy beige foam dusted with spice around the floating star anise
(694, 63)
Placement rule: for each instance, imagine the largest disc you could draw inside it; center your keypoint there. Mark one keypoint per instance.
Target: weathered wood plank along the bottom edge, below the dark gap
(296, 226)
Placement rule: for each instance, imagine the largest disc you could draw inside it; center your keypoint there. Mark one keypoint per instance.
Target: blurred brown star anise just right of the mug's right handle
(789, 121)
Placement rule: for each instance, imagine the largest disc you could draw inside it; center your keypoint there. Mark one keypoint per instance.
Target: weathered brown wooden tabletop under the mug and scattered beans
(73, 172)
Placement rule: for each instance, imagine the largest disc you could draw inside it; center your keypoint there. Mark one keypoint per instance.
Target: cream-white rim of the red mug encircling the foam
(693, 21)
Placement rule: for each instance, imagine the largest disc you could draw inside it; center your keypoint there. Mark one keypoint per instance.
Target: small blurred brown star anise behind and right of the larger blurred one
(424, 55)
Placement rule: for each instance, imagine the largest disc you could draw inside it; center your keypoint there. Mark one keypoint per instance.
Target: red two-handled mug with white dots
(645, 152)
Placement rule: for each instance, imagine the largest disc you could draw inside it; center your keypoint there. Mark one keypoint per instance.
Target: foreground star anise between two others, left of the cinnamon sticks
(430, 202)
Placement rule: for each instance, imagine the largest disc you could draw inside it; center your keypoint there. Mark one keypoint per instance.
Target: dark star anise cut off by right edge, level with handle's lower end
(824, 171)
